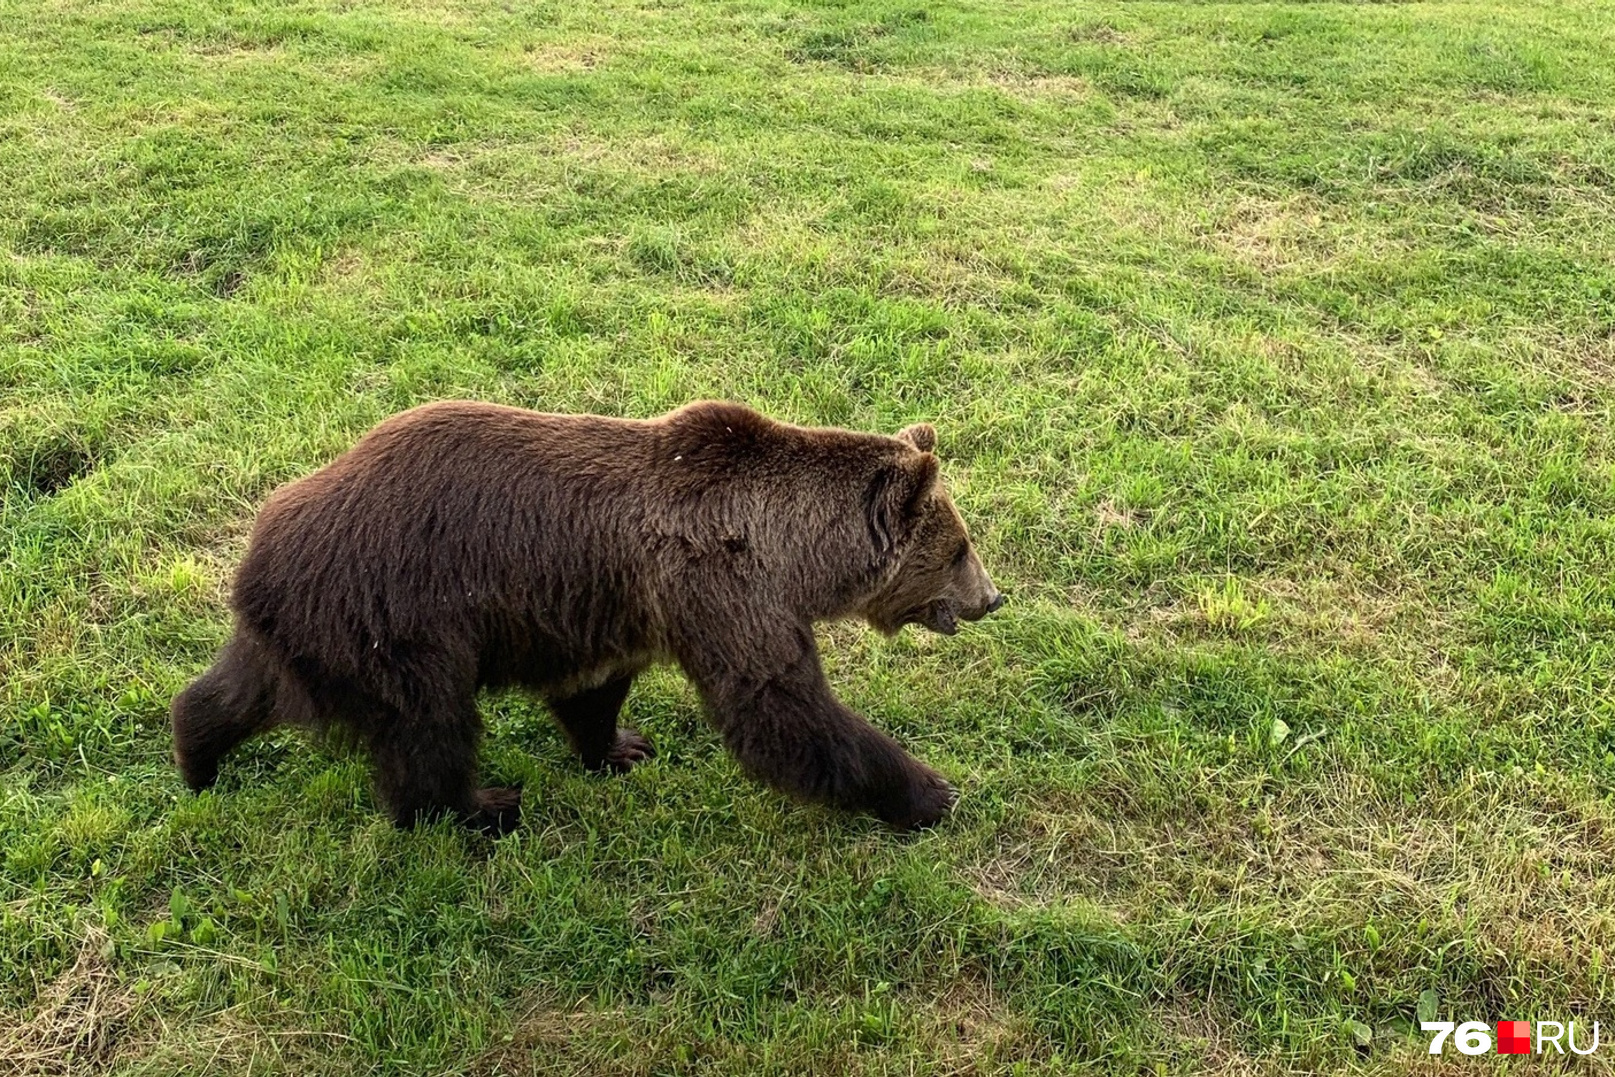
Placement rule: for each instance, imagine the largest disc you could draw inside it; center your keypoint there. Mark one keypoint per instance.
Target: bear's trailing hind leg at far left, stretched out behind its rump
(230, 703)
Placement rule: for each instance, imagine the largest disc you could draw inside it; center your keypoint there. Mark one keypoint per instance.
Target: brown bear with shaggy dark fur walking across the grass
(468, 545)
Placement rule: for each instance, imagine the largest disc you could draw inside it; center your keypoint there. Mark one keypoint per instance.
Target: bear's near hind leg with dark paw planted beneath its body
(427, 769)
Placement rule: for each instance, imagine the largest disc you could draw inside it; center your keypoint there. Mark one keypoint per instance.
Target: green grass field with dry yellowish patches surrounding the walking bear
(1272, 348)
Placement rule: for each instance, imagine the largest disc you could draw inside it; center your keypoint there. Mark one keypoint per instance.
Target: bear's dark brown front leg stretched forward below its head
(787, 729)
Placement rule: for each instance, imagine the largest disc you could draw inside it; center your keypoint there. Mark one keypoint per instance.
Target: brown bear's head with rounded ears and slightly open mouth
(938, 579)
